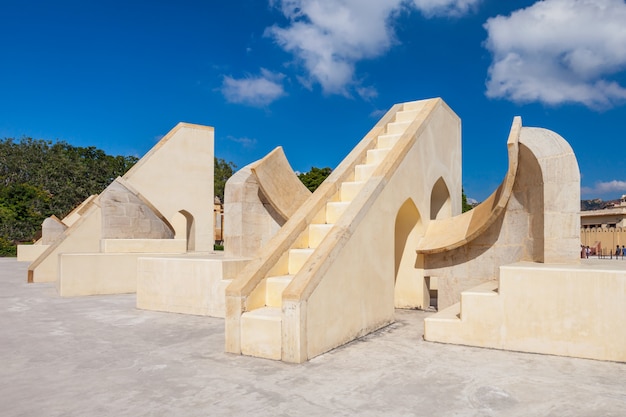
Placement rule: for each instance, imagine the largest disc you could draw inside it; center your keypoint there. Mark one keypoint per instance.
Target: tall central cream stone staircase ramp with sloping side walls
(328, 277)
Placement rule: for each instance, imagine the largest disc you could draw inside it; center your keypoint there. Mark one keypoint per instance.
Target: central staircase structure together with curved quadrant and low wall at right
(385, 231)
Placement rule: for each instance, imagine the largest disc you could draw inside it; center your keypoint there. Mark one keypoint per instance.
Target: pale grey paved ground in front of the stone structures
(100, 356)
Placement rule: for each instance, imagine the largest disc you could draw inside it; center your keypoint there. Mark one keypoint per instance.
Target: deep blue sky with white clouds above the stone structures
(315, 75)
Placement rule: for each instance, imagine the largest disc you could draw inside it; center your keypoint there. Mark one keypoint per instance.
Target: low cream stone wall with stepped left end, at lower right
(541, 308)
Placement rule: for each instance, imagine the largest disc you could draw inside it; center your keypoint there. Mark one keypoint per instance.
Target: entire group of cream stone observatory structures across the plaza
(304, 273)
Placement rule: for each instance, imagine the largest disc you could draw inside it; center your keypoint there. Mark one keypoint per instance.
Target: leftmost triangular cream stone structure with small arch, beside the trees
(163, 204)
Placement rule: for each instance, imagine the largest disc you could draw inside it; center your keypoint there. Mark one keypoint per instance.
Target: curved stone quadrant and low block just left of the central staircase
(259, 198)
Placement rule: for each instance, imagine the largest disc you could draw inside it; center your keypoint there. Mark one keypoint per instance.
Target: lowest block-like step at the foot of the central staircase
(261, 333)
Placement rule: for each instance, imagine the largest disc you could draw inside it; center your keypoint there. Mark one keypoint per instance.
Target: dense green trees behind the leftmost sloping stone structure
(39, 178)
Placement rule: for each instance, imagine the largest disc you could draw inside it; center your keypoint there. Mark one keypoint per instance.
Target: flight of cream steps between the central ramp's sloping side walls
(261, 328)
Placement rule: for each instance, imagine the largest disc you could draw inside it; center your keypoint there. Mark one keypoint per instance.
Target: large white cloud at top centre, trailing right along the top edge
(330, 36)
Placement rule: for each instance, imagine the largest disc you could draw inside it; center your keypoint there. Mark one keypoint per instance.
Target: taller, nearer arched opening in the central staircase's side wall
(410, 289)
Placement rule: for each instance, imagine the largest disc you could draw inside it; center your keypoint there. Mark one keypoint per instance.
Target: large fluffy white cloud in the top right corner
(559, 51)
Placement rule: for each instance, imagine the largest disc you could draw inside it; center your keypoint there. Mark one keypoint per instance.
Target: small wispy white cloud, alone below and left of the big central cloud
(259, 91)
